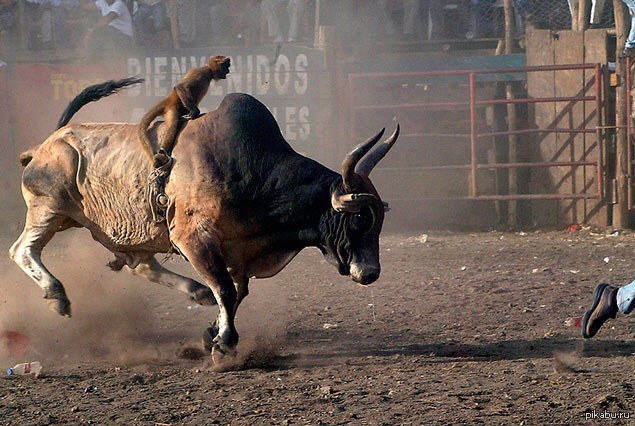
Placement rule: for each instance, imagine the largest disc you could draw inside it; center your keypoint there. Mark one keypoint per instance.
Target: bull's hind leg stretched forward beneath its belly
(153, 271)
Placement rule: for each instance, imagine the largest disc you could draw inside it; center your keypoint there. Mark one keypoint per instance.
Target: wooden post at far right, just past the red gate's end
(621, 208)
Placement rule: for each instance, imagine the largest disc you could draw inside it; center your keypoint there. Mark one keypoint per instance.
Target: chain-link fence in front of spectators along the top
(46, 26)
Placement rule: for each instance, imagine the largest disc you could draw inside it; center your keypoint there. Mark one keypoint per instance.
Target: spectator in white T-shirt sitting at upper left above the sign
(113, 33)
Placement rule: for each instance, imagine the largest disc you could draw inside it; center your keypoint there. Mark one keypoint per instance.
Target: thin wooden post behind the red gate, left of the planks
(512, 184)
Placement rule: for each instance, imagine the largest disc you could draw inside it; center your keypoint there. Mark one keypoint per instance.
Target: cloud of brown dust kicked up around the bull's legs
(120, 318)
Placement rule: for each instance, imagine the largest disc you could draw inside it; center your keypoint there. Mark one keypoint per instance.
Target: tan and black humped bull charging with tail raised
(242, 204)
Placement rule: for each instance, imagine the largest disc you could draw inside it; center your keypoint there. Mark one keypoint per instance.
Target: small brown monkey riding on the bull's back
(182, 102)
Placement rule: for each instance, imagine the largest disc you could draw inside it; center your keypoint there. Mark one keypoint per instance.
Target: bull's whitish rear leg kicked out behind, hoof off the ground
(41, 225)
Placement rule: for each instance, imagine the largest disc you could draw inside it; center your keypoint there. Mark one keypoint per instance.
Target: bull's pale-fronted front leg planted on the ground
(202, 249)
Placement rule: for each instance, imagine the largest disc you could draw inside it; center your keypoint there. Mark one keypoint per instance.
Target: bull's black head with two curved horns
(351, 230)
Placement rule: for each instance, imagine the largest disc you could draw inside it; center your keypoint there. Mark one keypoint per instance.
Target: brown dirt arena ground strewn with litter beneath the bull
(461, 329)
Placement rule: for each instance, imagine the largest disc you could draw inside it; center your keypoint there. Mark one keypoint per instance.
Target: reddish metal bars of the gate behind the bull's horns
(474, 101)
